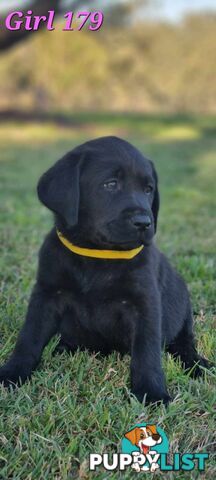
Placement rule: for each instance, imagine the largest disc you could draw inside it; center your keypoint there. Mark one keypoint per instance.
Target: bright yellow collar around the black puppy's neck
(105, 254)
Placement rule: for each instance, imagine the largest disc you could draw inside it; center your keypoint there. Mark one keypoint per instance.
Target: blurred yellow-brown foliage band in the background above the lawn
(144, 67)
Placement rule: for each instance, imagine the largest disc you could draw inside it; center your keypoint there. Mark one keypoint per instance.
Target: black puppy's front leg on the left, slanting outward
(40, 325)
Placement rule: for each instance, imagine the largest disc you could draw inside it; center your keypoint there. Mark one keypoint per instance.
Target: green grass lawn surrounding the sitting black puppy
(79, 404)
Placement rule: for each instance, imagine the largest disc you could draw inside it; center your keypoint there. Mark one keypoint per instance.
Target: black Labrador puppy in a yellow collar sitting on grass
(101, 282)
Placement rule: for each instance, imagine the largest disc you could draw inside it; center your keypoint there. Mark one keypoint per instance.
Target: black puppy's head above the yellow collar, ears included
(105, 193)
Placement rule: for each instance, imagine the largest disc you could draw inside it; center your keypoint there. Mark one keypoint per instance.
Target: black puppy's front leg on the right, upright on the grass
(147, 377)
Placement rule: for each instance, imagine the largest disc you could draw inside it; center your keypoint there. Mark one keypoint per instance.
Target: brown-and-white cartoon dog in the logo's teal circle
(144, 438)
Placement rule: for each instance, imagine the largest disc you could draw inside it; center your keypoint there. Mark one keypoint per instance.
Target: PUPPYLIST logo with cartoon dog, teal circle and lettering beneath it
(145, 448)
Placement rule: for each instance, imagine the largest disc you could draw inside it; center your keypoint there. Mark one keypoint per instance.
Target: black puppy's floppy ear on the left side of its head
(58, 188)
